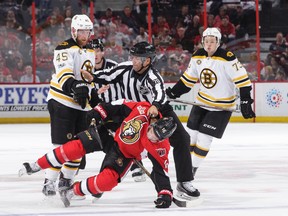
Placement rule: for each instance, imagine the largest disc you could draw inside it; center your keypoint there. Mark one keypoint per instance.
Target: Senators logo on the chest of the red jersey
(130, 131)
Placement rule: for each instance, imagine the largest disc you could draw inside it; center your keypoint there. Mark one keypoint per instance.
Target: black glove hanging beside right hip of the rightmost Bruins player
(245, 103)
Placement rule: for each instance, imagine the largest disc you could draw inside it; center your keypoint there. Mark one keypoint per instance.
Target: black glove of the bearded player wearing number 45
(80, 93)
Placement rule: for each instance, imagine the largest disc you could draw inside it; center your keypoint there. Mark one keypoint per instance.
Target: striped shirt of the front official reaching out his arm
(148, 86)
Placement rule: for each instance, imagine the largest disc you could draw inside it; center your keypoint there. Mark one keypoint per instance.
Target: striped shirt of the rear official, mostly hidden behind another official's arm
(114, 92)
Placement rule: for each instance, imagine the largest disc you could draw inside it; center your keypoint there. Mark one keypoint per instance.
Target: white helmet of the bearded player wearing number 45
(80, 21)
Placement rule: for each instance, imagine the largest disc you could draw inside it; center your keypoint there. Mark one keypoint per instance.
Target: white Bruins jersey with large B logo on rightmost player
(218, 76)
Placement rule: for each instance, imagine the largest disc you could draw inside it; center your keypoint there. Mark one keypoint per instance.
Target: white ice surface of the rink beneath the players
(244, 174)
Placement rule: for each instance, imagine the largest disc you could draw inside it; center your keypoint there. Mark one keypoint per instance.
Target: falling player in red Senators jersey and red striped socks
(137, 132)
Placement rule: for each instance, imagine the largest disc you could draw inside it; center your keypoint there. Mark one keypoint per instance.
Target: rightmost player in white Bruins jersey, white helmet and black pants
(220, 73)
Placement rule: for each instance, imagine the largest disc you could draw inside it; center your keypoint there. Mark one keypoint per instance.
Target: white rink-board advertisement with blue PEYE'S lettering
(23, 101)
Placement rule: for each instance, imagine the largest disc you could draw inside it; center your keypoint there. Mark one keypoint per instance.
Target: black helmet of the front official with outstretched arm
(143, 49)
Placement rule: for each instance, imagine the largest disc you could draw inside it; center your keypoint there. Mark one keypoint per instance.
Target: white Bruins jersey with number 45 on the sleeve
(69, 58)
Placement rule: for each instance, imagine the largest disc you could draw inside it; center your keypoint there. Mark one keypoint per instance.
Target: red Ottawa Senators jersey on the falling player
(131, 136)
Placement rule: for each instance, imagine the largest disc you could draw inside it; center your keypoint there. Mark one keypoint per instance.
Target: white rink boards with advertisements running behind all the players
(27, 103)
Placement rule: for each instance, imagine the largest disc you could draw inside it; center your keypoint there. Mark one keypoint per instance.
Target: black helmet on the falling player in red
(164, 127)
